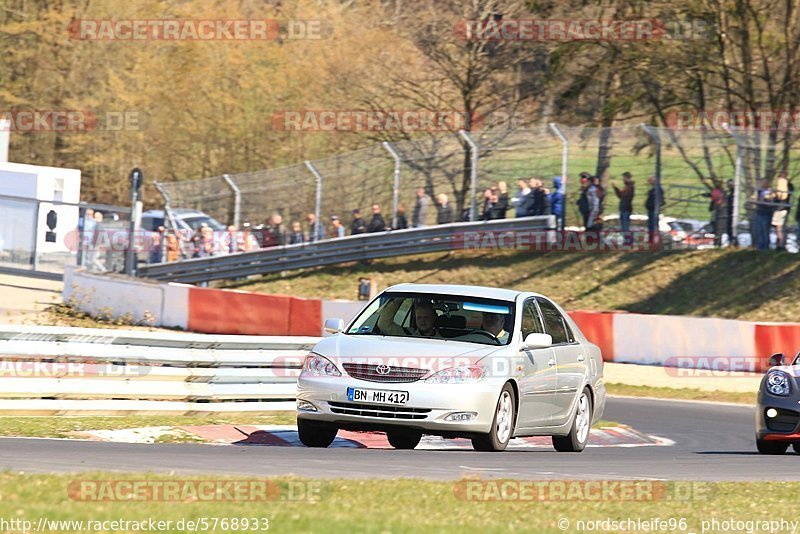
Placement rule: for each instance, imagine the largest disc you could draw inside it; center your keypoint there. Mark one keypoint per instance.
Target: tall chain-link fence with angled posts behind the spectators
(690, 165)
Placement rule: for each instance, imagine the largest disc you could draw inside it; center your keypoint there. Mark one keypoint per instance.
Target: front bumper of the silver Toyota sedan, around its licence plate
(426, 409)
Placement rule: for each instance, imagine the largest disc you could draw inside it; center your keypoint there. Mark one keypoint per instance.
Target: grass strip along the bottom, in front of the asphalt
(406, 505)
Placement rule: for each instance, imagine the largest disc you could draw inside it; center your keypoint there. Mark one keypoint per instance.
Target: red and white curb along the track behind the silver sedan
(286, 436)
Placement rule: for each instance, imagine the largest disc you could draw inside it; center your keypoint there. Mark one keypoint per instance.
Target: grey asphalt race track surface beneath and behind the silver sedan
(712, 442)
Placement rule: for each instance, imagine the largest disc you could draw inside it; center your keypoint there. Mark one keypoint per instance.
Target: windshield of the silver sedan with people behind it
(460, 318)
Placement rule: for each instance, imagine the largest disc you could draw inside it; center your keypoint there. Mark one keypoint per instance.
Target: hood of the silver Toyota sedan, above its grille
(435, 354)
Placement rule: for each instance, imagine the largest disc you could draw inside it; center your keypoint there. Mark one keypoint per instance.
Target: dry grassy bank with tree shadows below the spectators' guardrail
(737, 284)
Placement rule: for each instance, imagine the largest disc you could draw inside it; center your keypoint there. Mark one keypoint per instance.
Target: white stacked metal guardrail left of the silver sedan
(63, 371)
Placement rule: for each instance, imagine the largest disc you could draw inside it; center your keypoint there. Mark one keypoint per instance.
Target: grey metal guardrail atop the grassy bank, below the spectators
(333, 251)
